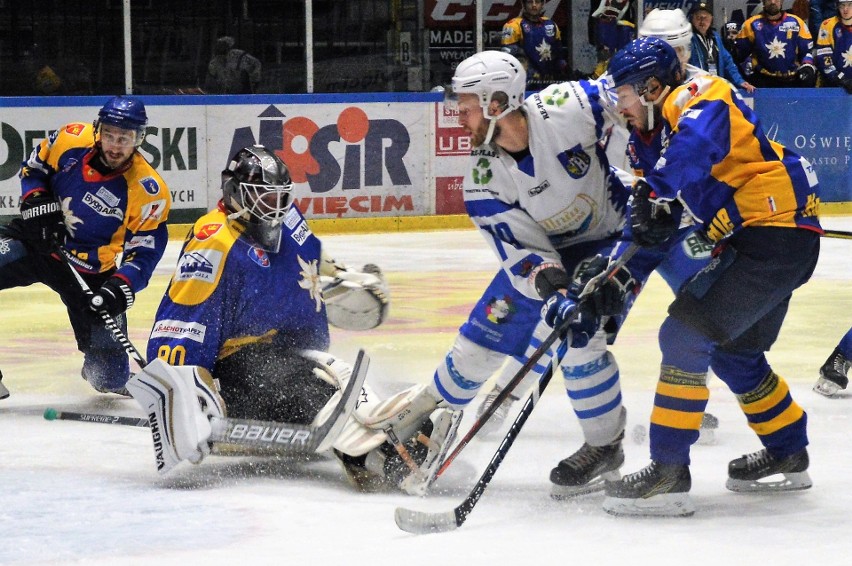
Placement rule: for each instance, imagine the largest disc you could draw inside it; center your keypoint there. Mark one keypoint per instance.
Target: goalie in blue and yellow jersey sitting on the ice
(247, 306)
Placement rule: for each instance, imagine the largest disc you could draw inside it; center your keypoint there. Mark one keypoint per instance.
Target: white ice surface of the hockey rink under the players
(83, 493)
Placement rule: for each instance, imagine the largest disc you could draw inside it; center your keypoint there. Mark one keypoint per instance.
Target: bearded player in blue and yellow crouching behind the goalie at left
(87, 189)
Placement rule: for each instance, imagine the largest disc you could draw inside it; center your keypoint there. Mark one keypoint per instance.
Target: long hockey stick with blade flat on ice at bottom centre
(420, 522)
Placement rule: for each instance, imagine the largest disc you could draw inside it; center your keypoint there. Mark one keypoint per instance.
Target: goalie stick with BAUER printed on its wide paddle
(269, 436)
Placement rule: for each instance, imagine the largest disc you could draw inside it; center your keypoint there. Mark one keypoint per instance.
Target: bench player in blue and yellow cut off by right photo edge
(834, 48)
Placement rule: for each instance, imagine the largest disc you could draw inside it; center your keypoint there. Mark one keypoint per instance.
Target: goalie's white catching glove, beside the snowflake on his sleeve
(357, 300)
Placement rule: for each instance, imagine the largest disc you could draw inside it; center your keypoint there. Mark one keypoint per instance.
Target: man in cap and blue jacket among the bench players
(708, 50)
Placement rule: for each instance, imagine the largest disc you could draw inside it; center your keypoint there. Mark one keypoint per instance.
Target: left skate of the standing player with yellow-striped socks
(657, 490)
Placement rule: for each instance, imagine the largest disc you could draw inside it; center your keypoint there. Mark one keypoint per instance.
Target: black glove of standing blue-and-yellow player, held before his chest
(652, 223)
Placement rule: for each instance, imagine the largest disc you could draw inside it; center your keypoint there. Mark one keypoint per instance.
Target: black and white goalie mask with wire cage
(257, 191)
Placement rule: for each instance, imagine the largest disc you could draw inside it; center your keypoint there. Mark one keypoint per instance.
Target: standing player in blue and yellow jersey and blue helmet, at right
(758, 203)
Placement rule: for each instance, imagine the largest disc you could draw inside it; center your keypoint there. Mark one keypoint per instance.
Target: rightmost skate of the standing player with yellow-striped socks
(745, 473)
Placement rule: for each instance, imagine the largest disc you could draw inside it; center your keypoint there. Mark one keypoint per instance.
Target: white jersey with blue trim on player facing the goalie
(556, 194)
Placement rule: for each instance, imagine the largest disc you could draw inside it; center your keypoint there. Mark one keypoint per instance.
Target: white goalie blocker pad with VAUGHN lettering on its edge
(179, 402)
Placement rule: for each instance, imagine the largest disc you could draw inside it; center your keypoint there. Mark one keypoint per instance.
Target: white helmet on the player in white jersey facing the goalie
(488, 72)
